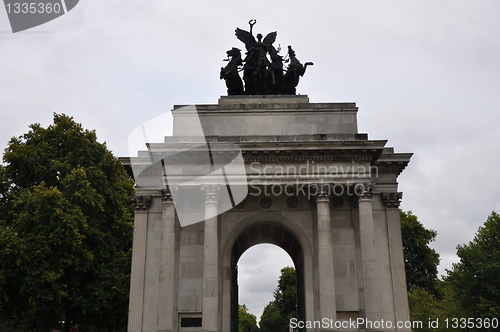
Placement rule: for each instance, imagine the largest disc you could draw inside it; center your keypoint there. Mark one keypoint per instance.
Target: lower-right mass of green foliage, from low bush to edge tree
(472, 288)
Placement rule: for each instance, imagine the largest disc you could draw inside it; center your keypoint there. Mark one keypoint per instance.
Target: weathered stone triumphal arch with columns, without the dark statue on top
(307, 181)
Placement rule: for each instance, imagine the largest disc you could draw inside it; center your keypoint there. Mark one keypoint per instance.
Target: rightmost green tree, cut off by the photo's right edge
(475, 277)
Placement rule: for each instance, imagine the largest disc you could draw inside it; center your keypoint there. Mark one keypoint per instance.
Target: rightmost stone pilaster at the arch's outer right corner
(401, 307)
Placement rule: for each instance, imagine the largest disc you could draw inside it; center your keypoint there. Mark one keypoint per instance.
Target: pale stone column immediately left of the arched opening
(210, 314)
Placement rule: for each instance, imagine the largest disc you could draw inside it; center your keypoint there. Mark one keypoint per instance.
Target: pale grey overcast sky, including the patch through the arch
(425, 75)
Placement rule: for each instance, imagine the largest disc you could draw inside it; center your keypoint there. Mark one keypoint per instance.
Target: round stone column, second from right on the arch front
(372, 295)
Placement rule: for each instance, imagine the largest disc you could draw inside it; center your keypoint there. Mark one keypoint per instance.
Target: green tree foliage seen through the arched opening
(277, 313)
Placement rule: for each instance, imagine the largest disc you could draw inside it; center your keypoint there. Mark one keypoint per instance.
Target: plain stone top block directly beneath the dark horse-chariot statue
(267, 115)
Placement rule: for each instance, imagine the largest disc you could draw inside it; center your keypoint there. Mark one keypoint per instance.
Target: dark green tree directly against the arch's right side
(421, 261)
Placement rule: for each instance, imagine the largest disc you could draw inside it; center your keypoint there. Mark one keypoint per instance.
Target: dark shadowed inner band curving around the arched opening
(271, 232)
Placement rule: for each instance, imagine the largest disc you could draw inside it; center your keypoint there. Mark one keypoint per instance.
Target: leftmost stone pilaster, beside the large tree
(141, 204)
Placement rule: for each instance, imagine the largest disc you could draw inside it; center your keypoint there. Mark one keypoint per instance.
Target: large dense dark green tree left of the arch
(65, 237)
